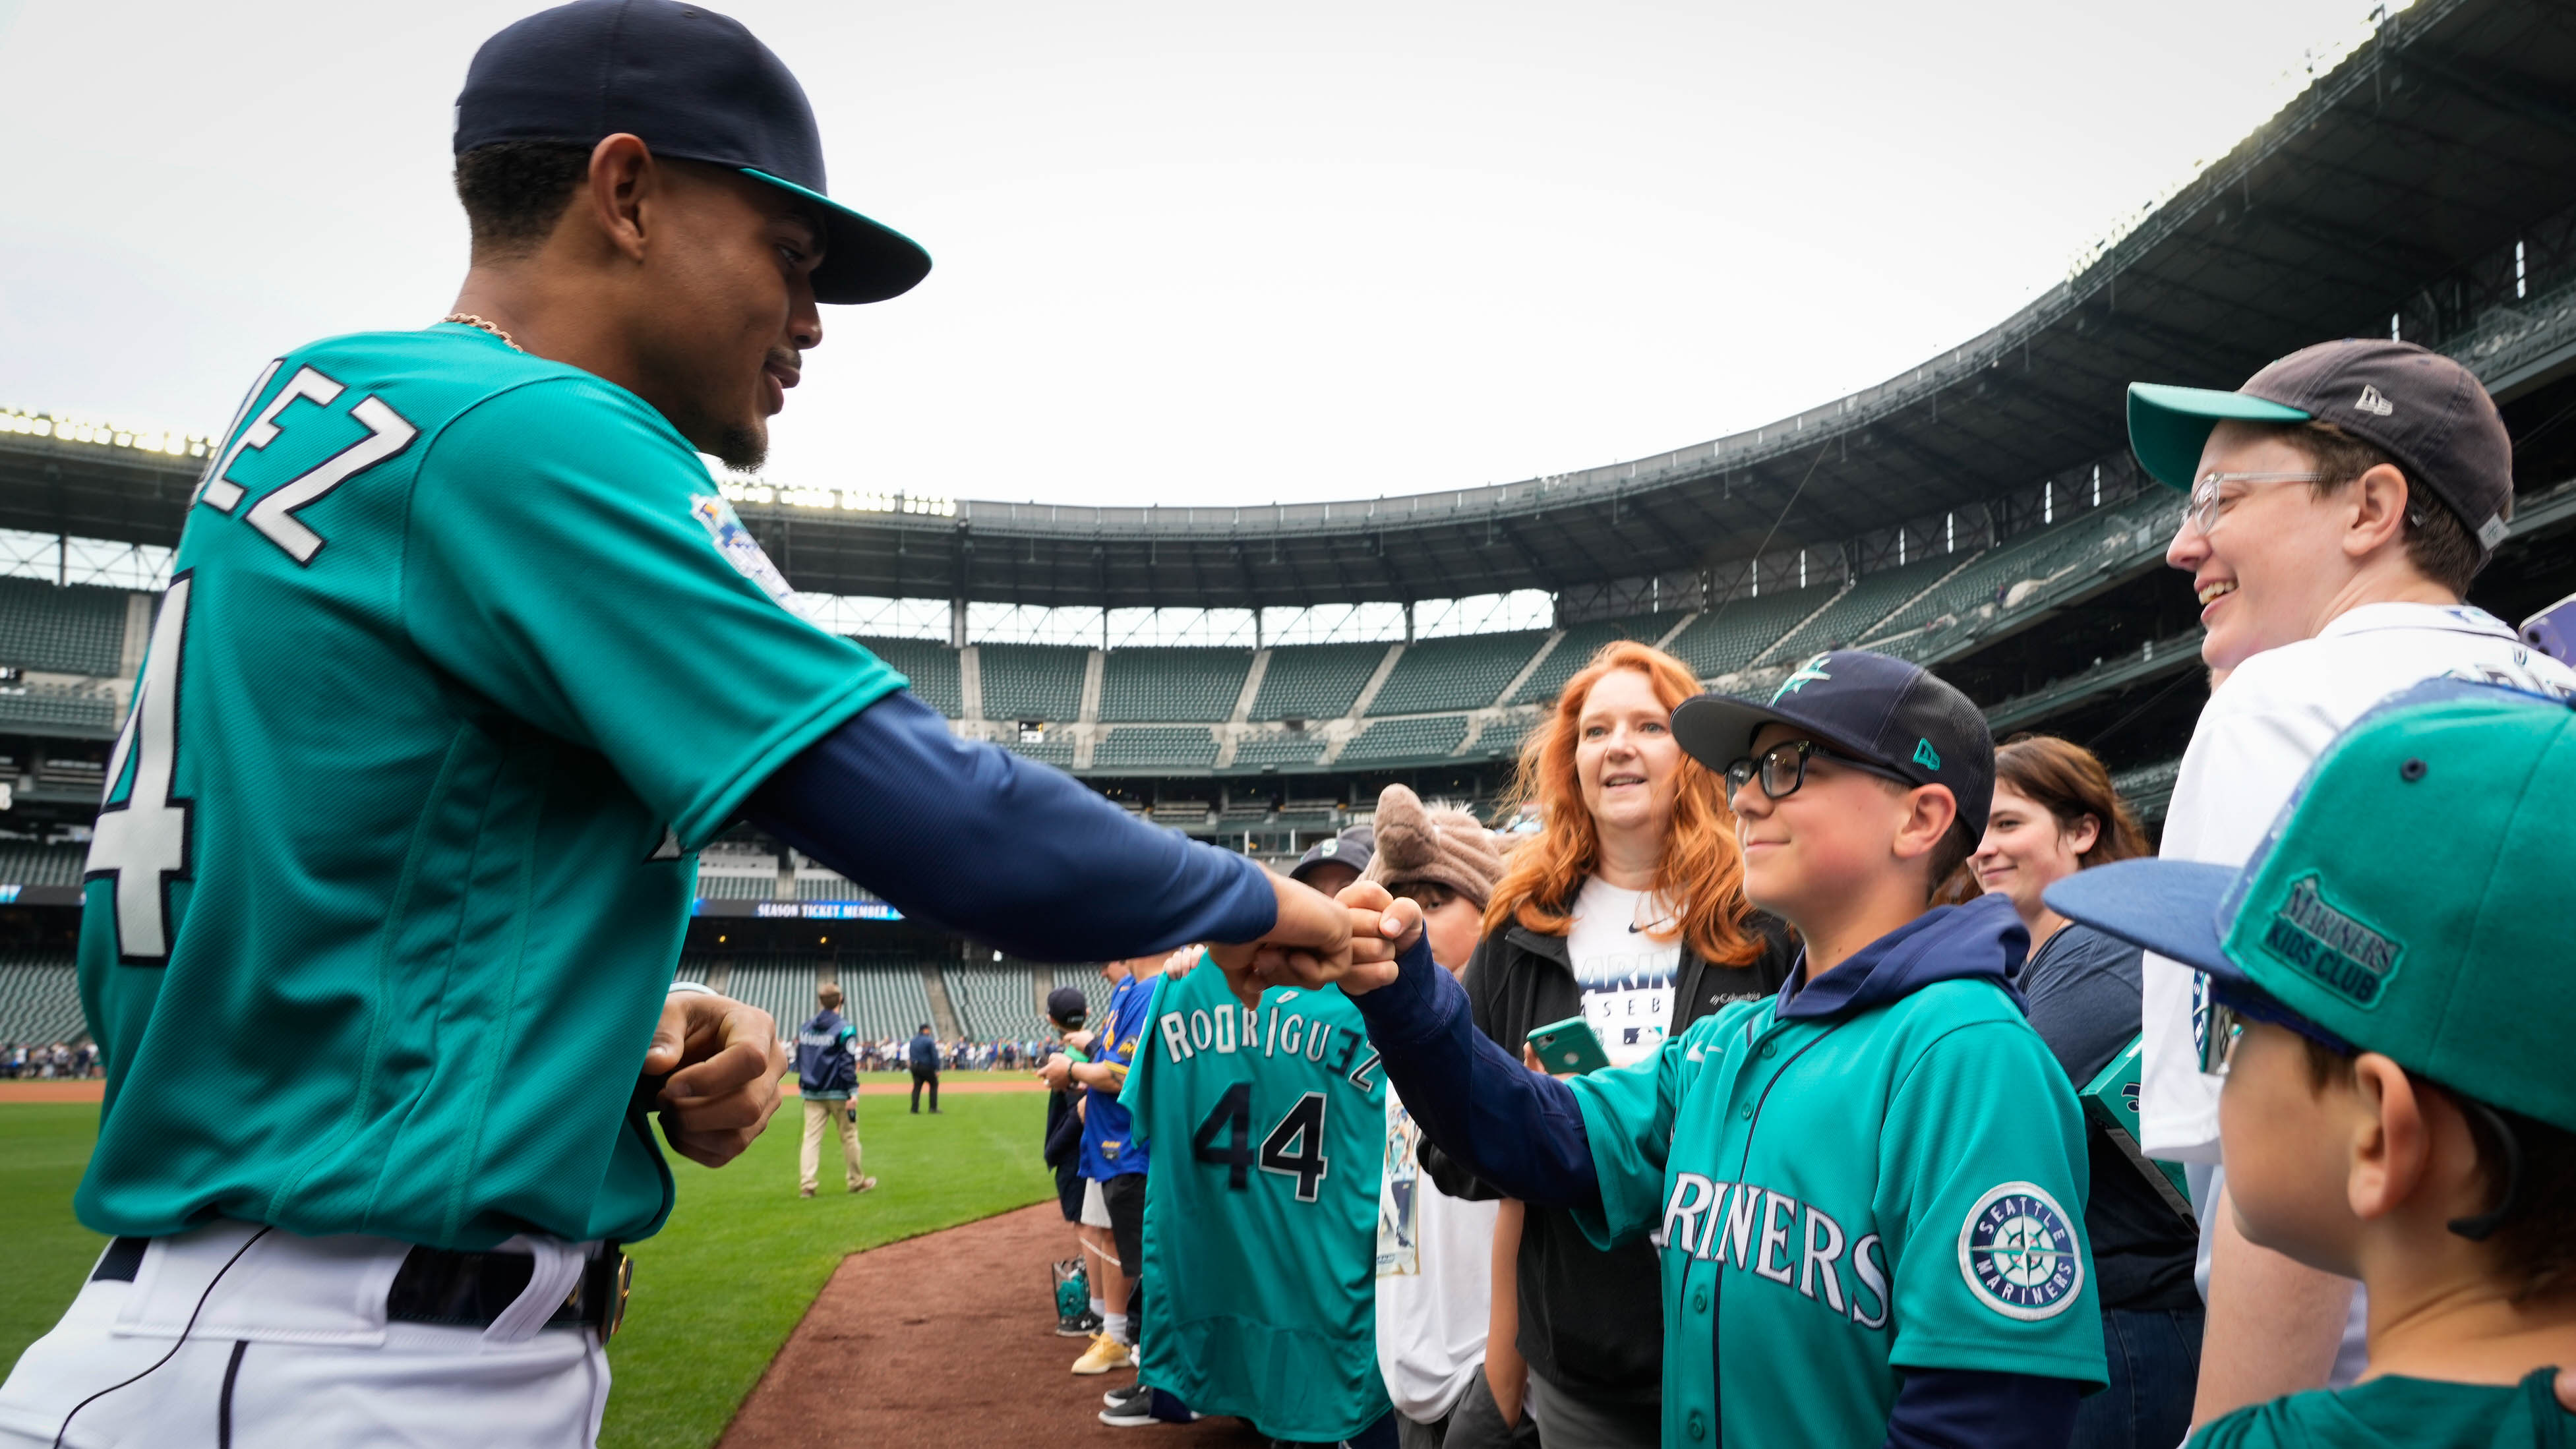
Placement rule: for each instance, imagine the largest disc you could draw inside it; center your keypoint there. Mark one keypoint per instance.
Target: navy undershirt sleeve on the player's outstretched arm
(1016, 856)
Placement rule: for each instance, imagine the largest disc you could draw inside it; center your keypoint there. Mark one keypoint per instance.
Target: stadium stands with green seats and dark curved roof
(2428, 184)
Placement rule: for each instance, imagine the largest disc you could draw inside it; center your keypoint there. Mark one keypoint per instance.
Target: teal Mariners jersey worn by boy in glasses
(1846, 1198)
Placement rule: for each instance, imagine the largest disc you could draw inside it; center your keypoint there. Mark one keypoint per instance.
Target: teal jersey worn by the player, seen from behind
(462, 660)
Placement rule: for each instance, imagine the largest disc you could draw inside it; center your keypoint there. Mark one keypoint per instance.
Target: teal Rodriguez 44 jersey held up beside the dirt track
(1261, 1239)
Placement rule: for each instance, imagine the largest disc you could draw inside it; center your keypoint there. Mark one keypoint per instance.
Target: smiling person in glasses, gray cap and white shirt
(2340, 506)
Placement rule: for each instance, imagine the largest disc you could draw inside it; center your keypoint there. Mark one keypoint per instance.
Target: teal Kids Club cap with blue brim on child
(2410, 900)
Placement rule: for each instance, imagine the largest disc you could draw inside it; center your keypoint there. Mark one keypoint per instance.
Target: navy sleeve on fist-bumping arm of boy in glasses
(1506, 1123)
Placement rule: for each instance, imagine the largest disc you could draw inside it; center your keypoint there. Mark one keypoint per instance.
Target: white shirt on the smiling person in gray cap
(2248, 755)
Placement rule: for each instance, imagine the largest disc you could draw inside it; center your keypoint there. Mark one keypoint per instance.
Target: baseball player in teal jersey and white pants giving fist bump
(460, 665)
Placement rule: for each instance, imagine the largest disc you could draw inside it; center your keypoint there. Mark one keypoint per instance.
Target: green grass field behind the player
(717, 1291)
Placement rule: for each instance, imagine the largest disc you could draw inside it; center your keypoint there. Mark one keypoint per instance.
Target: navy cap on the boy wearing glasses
(1871, 706)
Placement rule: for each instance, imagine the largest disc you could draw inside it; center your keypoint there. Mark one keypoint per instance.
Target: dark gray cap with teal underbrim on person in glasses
(2420, 408)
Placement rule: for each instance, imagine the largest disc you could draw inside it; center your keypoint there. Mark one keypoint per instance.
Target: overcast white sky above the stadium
(1186, 251)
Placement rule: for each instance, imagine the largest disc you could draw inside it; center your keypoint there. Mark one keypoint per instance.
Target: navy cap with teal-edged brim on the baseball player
(694, 86)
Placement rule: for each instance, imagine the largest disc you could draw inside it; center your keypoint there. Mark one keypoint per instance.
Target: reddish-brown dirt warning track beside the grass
(947, 1342)
